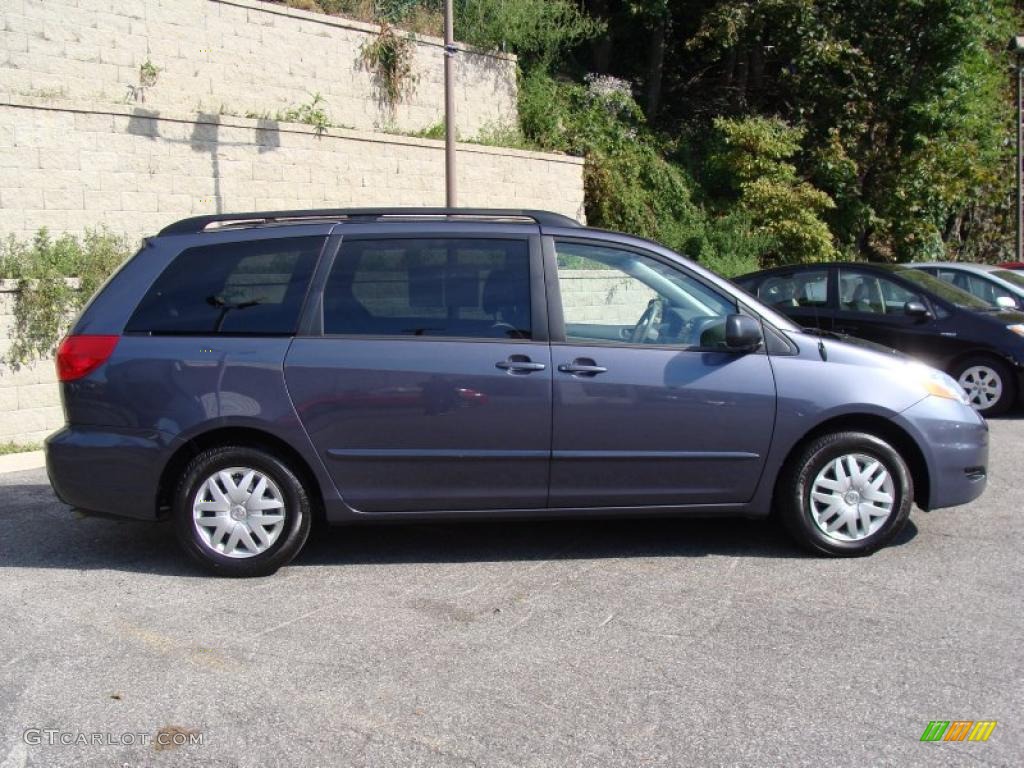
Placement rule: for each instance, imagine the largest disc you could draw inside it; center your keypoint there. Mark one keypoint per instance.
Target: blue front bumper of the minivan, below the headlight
(955, 442)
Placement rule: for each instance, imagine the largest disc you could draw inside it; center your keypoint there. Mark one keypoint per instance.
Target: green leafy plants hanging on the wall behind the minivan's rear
(56, 279)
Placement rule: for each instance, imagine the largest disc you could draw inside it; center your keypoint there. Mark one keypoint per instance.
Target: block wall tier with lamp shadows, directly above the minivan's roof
(135, 170)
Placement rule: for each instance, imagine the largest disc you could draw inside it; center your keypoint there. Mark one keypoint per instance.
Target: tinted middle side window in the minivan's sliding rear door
(470, 288)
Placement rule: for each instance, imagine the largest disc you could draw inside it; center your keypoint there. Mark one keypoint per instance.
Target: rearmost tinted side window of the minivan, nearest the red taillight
(247, 288)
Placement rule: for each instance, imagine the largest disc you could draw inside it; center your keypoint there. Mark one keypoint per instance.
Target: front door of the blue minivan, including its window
(651, 408)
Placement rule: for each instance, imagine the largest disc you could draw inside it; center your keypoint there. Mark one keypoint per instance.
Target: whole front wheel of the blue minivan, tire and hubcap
(845, 494)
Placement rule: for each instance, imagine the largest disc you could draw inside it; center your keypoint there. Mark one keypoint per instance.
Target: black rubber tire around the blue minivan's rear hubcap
(297, 511)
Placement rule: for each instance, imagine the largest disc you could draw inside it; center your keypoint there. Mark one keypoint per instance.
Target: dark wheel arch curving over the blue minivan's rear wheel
(235, 436)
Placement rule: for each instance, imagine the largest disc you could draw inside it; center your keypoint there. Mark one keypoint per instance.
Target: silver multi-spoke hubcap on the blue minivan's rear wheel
(239, 513)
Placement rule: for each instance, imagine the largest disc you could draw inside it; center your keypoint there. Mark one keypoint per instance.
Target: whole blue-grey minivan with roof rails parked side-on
(243, 374)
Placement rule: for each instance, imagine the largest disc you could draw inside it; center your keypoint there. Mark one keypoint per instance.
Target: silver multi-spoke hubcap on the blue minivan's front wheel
(852, 497)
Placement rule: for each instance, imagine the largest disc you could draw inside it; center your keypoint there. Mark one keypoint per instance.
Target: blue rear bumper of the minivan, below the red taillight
(108, 471)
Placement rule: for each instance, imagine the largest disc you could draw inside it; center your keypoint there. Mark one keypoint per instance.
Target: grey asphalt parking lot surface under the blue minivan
(628, 643)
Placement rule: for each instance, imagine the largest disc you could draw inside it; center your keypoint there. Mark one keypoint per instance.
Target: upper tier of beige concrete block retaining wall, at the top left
(239, 57)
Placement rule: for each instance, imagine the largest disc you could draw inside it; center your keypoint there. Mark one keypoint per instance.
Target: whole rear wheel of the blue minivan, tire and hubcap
(241, 511)
